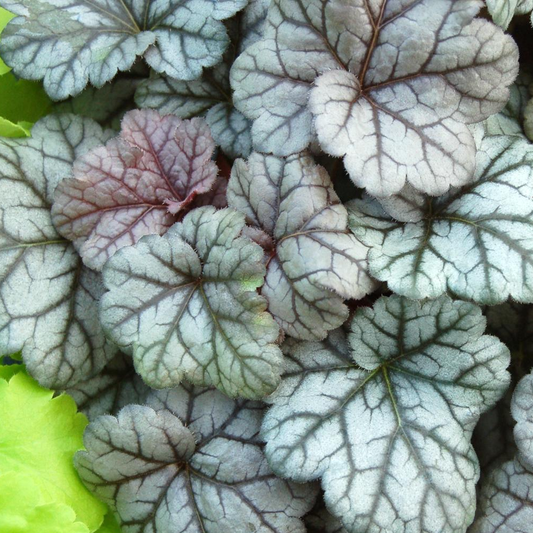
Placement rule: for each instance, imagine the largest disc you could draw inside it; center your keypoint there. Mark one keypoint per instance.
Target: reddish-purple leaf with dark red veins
(135, 185)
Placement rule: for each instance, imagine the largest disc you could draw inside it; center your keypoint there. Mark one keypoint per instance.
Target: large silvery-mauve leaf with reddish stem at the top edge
(389, 84)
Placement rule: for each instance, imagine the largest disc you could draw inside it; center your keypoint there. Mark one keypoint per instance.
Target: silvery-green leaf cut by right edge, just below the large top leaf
(475, 243)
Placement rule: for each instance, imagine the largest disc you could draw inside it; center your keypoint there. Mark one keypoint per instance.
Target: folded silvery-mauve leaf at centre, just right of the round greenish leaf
(313, 261)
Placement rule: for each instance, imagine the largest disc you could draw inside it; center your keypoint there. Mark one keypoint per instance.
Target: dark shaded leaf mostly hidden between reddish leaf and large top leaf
(210, 96)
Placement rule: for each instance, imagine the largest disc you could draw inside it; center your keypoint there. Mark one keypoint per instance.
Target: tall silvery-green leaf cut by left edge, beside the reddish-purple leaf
(48, 299)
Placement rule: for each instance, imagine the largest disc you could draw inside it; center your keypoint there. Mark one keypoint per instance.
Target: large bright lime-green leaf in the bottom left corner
(40, 434)
